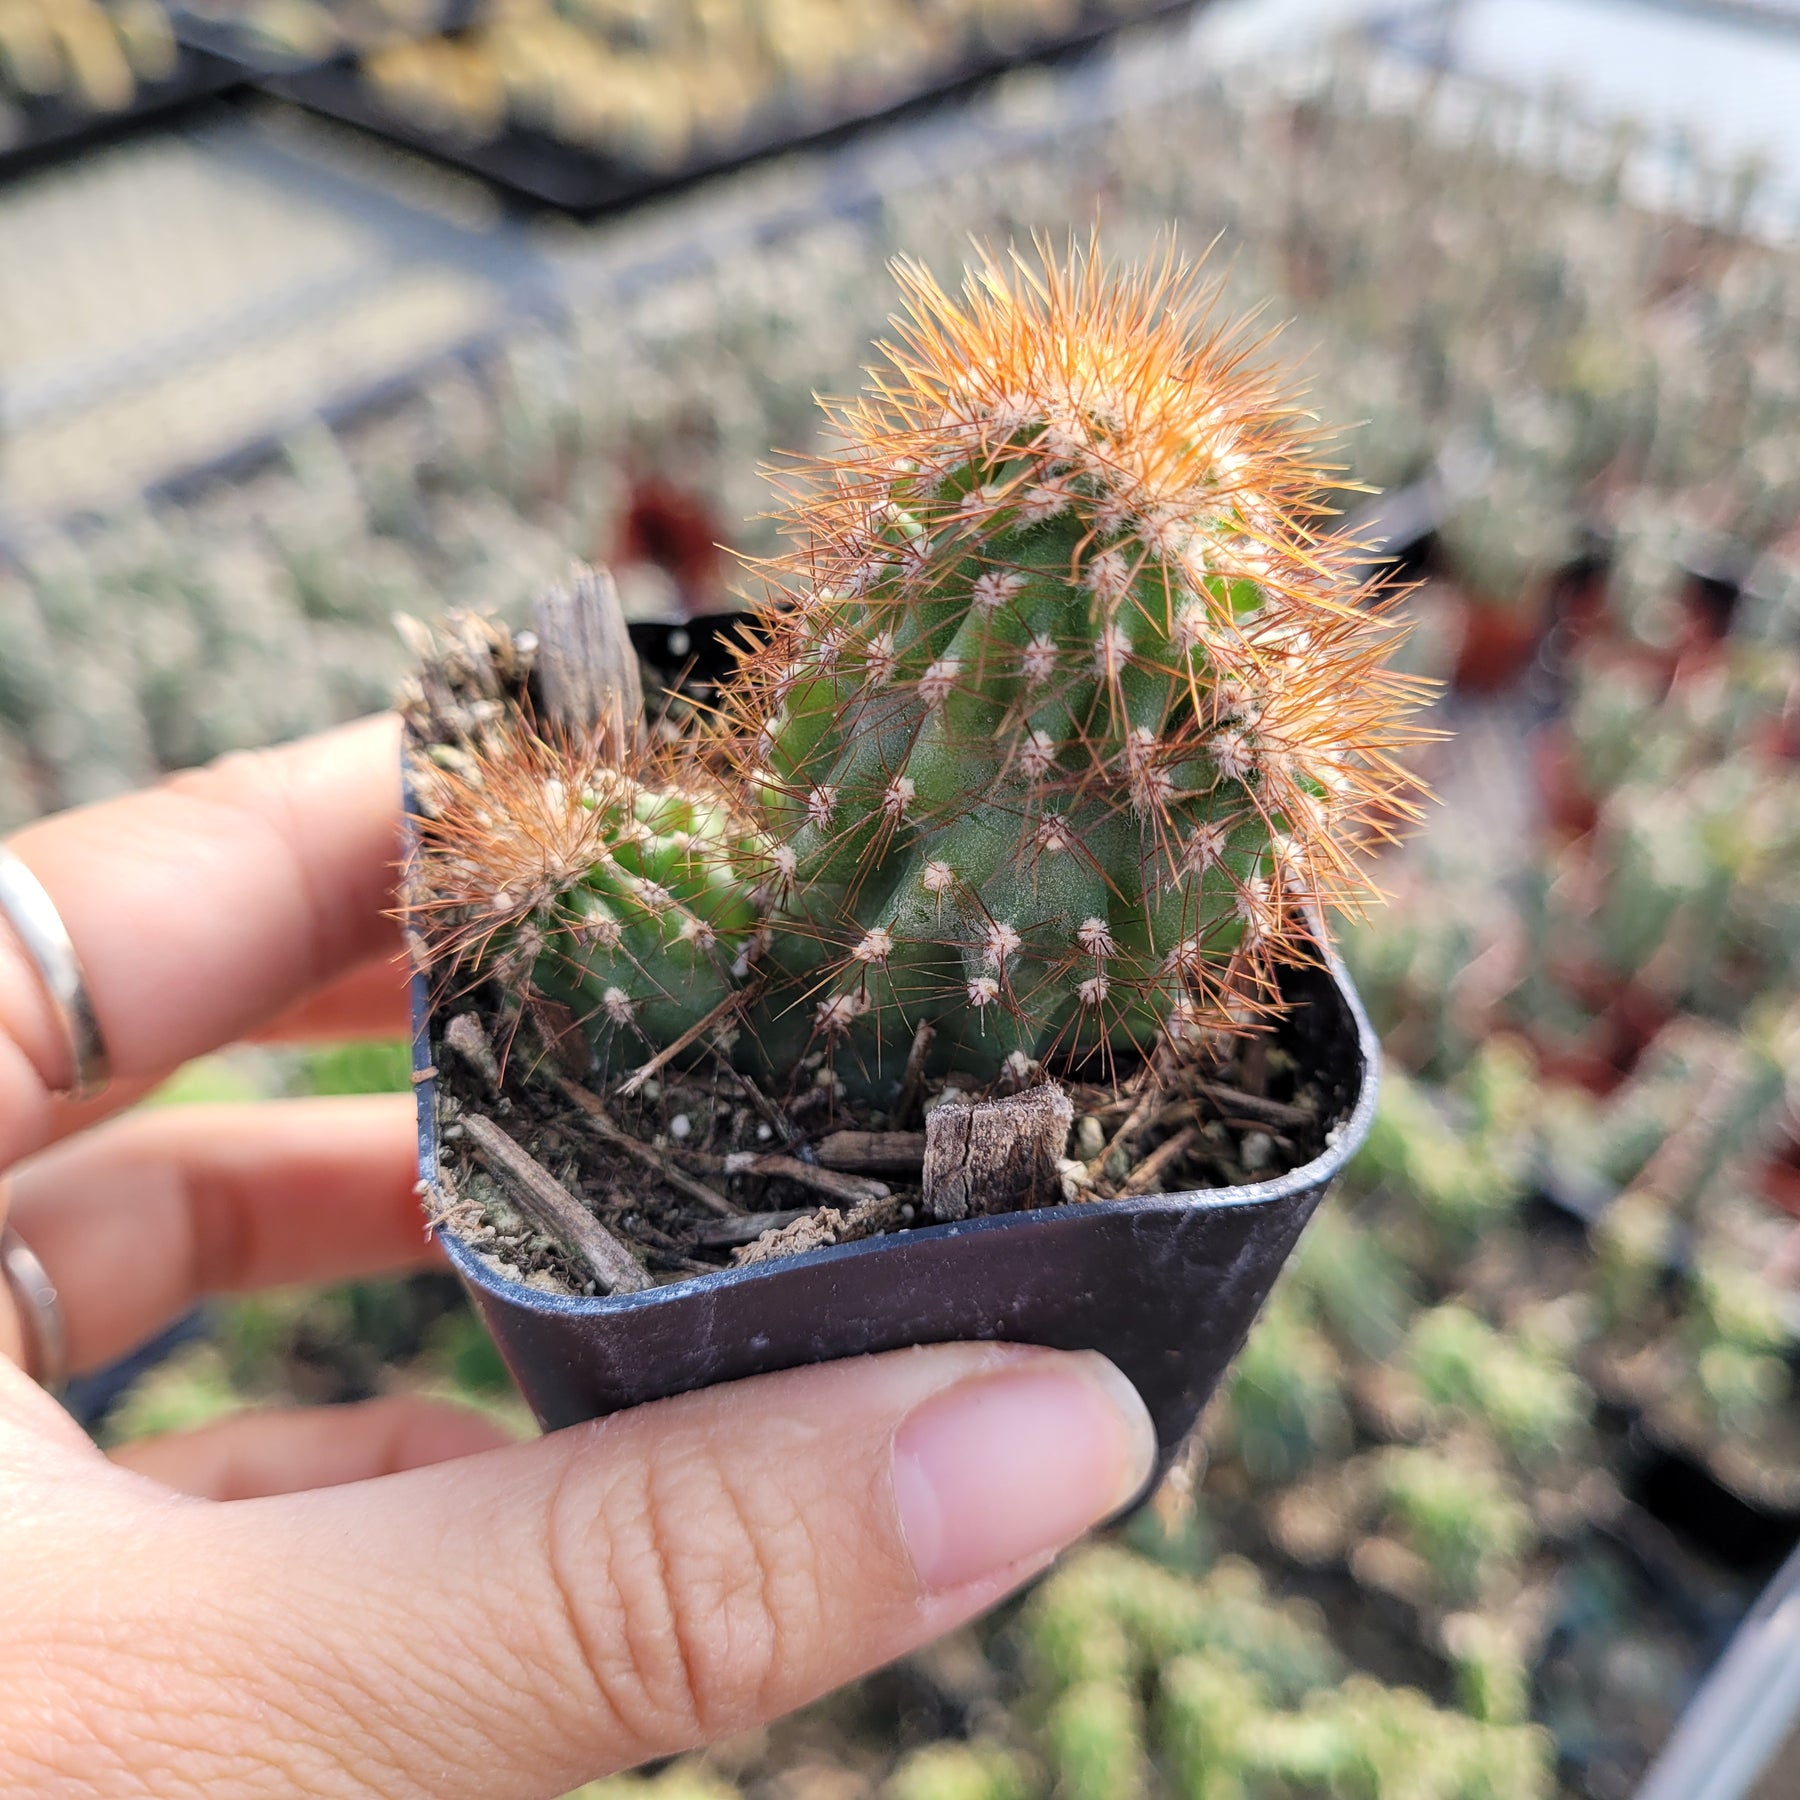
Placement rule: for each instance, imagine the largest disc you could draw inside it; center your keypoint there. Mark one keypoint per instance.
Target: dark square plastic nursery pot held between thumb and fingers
(1165, 1286)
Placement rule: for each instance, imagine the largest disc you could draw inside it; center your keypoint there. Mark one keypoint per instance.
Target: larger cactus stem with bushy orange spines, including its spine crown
(1074, 714)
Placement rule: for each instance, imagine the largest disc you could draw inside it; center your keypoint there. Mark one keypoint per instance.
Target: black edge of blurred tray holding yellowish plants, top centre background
(546, 170)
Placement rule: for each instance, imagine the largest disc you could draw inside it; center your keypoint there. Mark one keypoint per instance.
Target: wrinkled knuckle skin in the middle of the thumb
(708, 1588)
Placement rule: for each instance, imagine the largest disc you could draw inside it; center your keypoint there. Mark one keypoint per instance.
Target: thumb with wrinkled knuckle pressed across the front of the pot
(523, 1621)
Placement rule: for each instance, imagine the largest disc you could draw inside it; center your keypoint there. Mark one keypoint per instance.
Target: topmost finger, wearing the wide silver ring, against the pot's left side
(204, 908)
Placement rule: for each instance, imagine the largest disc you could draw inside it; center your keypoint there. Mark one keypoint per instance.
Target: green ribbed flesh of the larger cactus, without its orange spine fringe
(975, 789)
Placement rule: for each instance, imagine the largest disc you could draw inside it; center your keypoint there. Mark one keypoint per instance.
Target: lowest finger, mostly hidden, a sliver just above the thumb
(256, 1455)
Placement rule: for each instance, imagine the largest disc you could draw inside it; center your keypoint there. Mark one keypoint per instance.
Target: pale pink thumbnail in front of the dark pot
(1018, 1464)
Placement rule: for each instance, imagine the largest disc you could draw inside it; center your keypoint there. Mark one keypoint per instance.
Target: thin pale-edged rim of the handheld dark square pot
(1345, 1137)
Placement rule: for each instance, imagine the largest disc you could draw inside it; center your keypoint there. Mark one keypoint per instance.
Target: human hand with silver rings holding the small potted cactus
(390, 1599)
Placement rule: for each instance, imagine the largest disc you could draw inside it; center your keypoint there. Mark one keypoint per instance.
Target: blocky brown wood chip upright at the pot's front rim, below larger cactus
(996, 1156)
